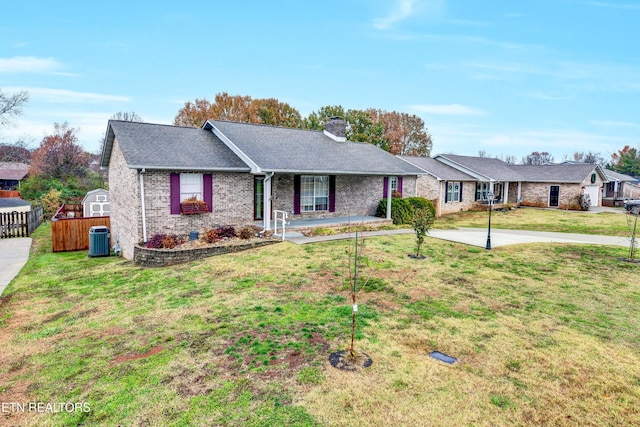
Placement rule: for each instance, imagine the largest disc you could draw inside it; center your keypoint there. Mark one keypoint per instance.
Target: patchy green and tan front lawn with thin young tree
(545, 335)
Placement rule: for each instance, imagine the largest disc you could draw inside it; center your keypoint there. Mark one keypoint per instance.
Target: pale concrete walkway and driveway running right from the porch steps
(478, 237)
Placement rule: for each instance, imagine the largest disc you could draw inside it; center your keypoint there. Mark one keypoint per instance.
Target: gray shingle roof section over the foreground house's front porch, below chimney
(282, 149)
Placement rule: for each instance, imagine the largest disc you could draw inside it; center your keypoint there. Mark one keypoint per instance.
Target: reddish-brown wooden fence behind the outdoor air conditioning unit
(72, 234)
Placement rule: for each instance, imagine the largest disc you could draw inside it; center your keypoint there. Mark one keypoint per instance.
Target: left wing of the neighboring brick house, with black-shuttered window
(450, 189)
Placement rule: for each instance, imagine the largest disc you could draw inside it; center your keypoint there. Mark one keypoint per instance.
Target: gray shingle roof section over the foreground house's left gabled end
(153, 146)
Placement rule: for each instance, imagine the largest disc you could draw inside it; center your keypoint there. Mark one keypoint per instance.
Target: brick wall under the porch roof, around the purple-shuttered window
(355, 195)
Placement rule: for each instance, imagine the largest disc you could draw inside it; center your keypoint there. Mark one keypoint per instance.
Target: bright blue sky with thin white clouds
(506, 77)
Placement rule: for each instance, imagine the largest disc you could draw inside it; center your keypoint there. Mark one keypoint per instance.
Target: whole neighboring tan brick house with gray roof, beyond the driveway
(549, 185)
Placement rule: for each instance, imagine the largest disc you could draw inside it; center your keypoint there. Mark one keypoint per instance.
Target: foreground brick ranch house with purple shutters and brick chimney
(242, 172)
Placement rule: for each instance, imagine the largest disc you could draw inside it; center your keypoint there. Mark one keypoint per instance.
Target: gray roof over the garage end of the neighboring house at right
(565, 172)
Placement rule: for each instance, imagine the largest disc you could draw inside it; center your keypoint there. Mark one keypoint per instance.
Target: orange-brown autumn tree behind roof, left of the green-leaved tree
(240, 109)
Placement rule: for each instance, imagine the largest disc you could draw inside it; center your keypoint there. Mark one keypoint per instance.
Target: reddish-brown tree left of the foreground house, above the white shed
(59, 156)
